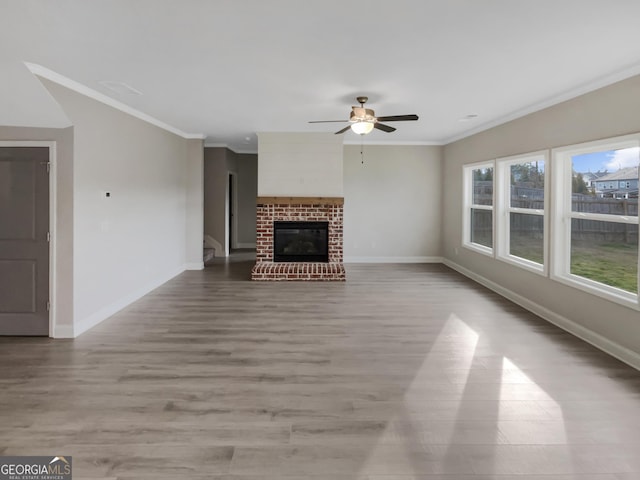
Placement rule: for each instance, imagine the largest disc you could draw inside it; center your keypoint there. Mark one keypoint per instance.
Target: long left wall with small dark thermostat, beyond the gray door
(130, 243)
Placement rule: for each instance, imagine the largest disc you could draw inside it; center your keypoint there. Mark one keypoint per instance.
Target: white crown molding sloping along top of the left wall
(40, 71)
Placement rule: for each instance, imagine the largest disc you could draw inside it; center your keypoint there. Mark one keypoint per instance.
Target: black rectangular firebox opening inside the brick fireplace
(301, 242)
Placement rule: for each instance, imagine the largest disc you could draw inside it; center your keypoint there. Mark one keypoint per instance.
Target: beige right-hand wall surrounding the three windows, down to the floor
(603, 113)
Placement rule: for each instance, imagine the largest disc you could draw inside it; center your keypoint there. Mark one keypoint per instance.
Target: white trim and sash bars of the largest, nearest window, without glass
(560, 260)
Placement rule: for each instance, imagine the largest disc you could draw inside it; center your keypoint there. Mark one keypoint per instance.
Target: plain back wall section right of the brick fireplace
(392, 203)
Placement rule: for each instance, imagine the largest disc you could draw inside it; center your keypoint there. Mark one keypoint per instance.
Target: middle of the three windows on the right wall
(521, 210)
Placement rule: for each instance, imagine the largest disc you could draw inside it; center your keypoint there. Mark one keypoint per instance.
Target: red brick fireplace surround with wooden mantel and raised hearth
(298, 209)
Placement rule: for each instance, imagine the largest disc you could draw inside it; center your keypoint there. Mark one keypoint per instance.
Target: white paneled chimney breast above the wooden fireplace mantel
(300, 165)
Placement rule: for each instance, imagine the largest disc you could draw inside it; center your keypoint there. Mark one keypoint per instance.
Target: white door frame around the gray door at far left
(51, 144)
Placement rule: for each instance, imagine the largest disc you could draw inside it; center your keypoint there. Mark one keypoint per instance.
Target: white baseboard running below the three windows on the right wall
(602, 343)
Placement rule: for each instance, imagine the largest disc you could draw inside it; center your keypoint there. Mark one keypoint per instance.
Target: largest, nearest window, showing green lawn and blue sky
(596, 234)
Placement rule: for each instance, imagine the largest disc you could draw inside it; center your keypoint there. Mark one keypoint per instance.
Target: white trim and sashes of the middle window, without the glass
(502, 187)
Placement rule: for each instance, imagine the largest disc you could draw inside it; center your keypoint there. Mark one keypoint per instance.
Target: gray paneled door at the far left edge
(24, 246)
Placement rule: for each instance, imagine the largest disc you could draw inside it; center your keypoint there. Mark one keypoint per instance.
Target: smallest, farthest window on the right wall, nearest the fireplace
(478, 218)
